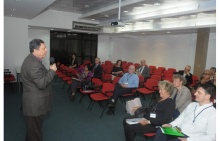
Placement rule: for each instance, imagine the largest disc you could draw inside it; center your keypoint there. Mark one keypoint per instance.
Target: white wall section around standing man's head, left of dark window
(45, 36)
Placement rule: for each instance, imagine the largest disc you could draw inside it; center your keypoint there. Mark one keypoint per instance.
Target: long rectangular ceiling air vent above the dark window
(85, 26)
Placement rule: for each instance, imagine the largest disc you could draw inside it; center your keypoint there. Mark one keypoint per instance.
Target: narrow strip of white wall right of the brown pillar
(211, 56)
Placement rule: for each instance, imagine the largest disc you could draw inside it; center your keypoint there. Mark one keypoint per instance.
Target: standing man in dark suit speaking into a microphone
(37, 91)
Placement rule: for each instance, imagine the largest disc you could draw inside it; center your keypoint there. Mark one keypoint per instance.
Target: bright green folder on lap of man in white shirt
(174, 131)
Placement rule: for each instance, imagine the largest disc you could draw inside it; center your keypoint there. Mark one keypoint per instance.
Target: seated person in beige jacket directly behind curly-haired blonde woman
(181, 94)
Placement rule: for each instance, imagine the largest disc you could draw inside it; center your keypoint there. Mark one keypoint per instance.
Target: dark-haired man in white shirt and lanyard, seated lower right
(198, 120)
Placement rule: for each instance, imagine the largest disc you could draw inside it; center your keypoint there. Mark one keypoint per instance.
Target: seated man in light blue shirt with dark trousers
(126, 83)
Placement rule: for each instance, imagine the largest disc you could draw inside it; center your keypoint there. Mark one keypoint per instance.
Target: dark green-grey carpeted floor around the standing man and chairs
(68, 120)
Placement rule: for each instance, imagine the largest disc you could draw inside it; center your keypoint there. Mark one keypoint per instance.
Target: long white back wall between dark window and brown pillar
(160, 50)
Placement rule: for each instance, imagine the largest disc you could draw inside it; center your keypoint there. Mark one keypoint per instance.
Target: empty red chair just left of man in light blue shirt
(104, 95)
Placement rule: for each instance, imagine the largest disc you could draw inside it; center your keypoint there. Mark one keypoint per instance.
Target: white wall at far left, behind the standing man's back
(15, 42)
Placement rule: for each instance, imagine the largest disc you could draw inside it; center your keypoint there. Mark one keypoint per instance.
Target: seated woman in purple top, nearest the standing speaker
(85, 75)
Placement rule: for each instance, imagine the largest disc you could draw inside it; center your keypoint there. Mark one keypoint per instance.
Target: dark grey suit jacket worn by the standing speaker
(37, 91)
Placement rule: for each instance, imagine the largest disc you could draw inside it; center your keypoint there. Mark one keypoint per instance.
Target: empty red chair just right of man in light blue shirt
(150, 87)
